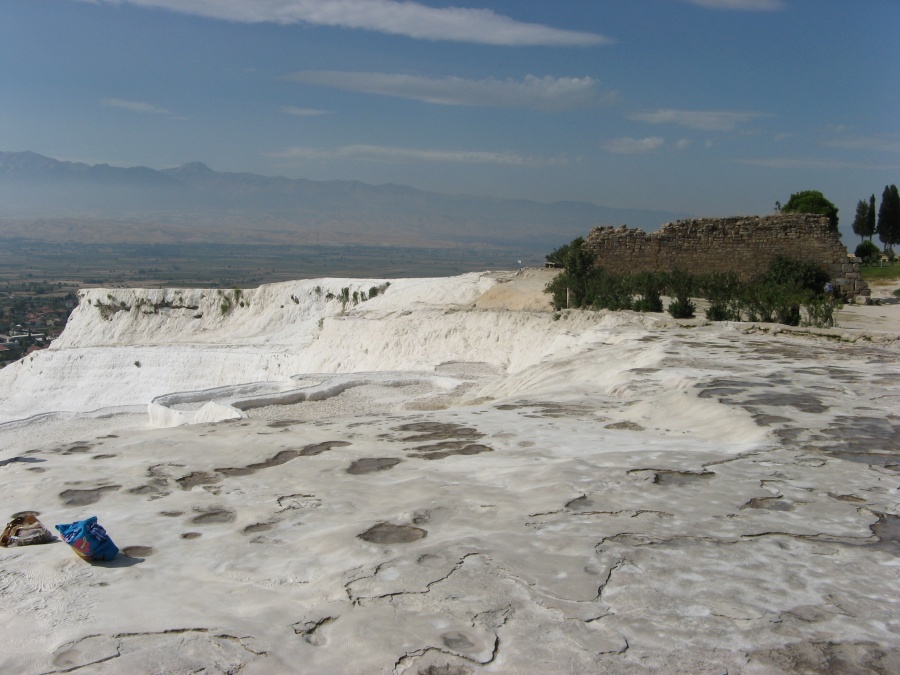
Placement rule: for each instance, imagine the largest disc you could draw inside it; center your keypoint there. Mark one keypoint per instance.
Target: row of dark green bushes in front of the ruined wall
(790, 292)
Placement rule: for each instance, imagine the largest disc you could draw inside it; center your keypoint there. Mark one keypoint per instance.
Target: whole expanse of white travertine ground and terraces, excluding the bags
(450, 478)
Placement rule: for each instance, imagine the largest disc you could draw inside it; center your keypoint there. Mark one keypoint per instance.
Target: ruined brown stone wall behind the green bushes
(745, 245)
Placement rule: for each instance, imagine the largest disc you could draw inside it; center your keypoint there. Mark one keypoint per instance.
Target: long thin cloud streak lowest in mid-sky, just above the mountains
(395, 154)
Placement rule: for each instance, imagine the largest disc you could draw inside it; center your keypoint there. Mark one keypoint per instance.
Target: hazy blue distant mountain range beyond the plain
(201, 204)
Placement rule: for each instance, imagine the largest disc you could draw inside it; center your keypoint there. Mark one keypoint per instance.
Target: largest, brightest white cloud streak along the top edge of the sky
(410, 19)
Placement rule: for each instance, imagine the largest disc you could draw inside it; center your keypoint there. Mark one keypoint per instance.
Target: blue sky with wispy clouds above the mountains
(712, 107)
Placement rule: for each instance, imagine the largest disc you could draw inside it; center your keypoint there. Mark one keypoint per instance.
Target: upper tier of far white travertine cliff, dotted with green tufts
(274, 314)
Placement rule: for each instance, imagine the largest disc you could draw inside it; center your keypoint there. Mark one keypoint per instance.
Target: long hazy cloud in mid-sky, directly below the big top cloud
(544, 93)
